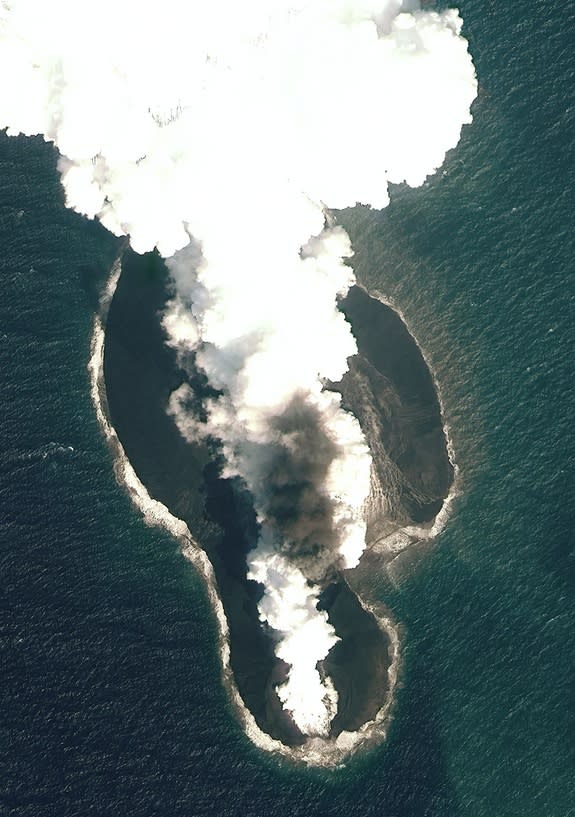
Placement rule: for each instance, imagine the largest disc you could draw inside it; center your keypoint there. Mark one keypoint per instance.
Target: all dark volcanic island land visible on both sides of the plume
(390, 390)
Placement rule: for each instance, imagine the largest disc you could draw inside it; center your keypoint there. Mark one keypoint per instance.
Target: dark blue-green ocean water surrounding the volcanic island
(110, 697)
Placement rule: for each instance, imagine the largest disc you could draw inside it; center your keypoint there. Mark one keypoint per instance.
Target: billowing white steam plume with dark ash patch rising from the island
(235, 123)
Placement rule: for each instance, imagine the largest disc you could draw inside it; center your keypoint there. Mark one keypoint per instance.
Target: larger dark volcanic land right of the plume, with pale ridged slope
(390, 390)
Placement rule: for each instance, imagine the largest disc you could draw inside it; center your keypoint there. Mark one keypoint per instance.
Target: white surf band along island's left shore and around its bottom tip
(315, 751)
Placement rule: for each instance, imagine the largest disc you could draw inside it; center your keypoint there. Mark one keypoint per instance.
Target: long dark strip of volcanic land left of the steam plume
(140, 373)
